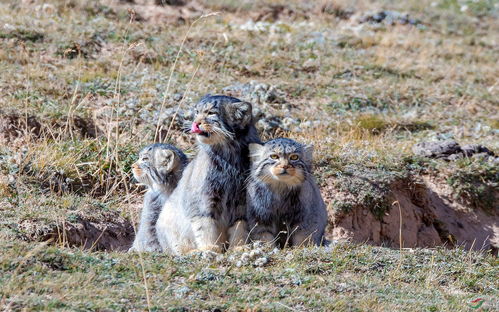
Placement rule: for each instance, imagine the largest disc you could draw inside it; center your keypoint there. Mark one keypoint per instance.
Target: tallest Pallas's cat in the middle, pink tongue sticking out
(208, 208)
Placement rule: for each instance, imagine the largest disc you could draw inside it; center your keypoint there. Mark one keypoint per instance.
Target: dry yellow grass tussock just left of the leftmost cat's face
(79, 166)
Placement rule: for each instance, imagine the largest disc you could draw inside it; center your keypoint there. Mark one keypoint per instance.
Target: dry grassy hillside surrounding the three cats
(85, 84)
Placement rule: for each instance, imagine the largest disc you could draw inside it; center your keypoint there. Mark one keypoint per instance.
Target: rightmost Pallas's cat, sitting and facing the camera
(283, 196)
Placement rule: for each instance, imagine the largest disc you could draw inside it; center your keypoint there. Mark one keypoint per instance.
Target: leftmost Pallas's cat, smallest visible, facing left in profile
(159, 167)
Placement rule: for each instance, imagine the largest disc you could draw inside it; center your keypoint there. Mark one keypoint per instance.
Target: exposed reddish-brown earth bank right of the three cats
(422, 214)
